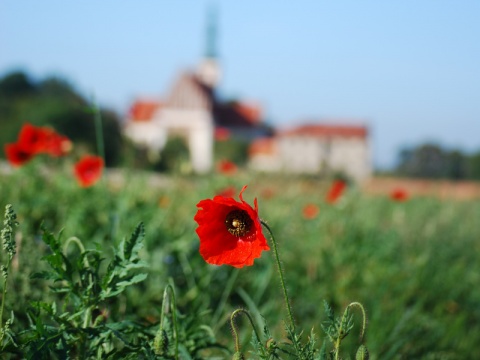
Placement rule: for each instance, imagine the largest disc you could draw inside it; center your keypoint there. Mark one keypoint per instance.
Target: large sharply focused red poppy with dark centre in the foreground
(230, 232)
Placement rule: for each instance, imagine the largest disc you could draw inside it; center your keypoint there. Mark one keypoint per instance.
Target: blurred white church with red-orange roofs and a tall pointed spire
(193, 111)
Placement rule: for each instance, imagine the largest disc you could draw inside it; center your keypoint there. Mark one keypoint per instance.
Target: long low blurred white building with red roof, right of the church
(321, 148)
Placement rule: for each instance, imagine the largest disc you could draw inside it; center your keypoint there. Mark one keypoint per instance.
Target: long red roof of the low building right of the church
(326, 130)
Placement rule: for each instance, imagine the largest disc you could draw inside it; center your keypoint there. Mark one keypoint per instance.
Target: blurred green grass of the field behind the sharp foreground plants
(413, 265)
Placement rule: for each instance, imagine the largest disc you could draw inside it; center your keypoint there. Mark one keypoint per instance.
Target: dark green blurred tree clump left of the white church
(54, 102)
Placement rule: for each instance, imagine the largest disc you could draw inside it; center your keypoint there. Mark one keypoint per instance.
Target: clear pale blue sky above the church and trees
(408, 68)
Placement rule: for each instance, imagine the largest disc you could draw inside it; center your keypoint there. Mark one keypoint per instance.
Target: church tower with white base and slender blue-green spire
(209, 69)
